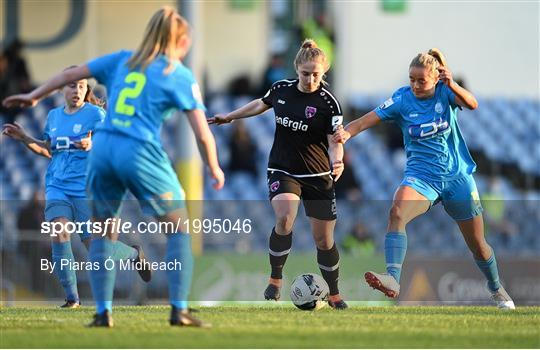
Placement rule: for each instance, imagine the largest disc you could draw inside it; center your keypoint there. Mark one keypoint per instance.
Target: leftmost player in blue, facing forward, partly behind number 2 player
(67, 142)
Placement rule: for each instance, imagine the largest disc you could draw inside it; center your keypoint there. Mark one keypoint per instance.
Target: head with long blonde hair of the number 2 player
(162, 33)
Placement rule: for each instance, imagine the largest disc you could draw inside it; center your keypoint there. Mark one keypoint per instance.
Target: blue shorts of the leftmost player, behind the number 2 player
(74, 209)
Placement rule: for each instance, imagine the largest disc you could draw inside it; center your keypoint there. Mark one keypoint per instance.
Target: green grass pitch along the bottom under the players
(276, 327)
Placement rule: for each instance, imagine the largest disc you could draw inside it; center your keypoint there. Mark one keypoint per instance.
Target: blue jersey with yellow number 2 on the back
(139, 101)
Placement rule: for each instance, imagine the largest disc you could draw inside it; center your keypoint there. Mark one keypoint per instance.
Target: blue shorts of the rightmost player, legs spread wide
(459, 197)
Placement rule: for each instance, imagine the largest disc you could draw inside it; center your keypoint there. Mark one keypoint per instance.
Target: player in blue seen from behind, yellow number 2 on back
(143, 87)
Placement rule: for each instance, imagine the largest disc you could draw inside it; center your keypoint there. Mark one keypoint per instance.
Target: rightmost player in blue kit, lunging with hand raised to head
(439, 168)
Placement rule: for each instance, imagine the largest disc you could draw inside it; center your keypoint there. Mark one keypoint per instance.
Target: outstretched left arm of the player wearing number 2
(32, 98)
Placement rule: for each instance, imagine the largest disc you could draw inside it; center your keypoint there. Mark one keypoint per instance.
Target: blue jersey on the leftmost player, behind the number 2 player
(67, 169)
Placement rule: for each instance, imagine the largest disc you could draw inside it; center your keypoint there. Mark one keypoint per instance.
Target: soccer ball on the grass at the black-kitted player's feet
(309, 291)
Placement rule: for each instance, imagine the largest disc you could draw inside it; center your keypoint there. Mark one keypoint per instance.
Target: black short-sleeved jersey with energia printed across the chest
(303, 123)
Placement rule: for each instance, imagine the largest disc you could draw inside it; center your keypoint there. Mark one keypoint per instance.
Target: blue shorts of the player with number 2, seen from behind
(118, 163)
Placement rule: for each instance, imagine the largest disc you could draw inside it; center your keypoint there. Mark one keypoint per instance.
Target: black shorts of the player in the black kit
(317, 192)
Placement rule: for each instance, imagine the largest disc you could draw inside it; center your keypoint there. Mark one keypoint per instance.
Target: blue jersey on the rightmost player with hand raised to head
(435, 148)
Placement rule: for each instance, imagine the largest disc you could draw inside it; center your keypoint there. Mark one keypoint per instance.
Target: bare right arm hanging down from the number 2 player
(207, 145)
